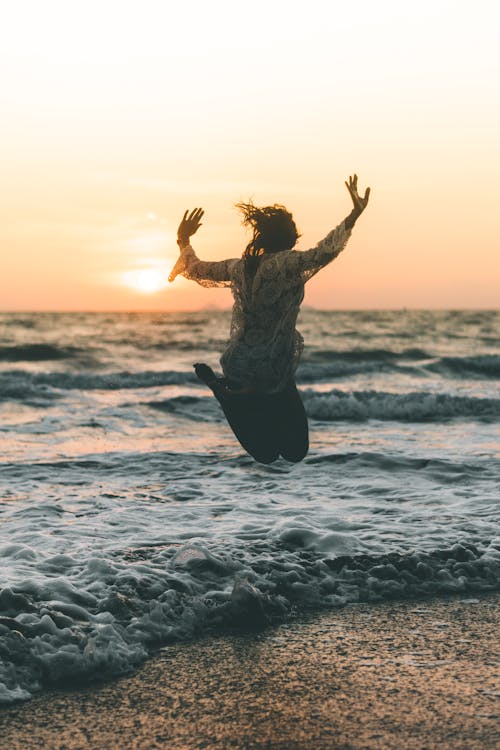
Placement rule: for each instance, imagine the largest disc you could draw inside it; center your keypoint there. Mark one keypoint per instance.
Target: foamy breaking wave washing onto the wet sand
(77, 620)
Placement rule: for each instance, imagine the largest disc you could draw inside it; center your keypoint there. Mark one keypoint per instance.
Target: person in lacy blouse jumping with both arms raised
(257, 392)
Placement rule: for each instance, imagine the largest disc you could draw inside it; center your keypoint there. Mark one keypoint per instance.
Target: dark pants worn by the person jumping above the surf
(268, 424)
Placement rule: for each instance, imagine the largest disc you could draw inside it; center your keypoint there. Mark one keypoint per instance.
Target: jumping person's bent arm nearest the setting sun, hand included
(206, 273)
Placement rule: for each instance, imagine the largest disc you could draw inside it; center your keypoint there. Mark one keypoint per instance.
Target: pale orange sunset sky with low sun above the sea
(117, 116)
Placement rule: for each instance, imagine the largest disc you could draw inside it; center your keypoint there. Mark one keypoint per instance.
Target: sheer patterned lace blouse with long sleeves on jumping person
(264, 347)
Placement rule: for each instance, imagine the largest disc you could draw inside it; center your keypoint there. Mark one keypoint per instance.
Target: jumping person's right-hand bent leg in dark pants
(292, 426)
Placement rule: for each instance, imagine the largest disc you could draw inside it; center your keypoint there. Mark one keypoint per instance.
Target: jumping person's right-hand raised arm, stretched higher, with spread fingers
(311, 261)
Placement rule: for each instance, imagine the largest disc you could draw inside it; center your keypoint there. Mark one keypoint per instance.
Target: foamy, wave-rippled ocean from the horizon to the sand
(130, 518)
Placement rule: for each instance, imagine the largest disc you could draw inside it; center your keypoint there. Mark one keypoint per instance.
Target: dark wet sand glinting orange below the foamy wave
(399, 675)
